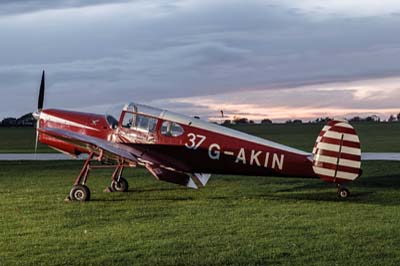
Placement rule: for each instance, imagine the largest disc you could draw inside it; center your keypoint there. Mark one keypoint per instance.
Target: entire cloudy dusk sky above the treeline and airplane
(258, 59)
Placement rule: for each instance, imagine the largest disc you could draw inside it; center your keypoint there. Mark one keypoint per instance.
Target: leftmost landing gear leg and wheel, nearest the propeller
(80, 192)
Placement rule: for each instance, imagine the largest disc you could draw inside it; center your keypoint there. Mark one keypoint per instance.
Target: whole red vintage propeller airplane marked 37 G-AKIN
(186, 151)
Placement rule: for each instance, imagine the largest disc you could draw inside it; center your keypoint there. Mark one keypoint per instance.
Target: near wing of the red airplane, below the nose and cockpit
(112, 150)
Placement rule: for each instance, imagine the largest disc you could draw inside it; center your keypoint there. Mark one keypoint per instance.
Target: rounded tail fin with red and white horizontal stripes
(337, 153)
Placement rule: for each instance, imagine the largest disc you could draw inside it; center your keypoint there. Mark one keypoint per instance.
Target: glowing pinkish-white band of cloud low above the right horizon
(340, 100)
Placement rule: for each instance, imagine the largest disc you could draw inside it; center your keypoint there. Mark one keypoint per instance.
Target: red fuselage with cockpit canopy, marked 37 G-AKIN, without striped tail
(180, 142)
